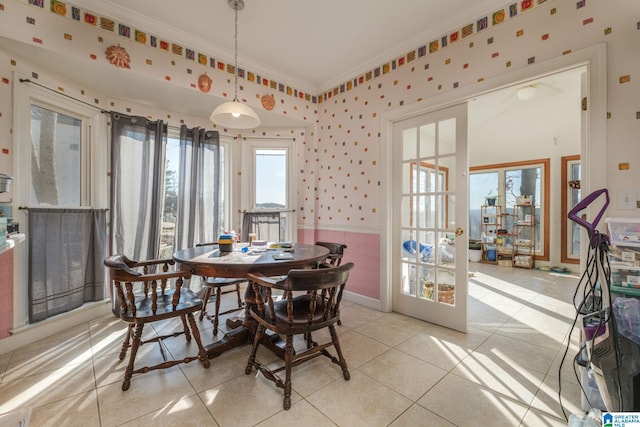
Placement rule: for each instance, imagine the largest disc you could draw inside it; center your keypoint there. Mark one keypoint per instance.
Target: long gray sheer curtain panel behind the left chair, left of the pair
(138, 148)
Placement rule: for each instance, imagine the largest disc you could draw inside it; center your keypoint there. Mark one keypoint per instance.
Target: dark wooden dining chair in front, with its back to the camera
(301, 314)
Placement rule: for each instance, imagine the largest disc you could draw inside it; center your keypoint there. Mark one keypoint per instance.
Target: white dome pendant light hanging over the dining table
(235, 114)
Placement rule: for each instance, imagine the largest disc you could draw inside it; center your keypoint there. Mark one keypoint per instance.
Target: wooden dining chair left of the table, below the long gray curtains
(147, 296)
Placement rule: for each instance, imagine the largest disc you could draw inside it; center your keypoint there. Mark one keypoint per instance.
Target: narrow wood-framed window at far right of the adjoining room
(570, 194)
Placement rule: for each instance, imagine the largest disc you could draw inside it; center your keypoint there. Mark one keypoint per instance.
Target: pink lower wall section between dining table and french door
(362, 249)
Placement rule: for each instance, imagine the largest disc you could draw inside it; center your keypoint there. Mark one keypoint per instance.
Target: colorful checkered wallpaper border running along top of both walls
(124, 30)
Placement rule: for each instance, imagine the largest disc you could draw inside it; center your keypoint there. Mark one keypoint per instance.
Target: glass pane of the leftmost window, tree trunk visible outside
(56, 158)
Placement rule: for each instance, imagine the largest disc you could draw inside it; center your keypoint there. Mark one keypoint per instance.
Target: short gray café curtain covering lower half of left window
(66, 251)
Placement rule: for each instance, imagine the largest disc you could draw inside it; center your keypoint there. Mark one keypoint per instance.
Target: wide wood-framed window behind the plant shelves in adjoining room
(507, 182)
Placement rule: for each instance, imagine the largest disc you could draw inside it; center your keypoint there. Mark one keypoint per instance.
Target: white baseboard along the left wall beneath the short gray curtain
(28, 334)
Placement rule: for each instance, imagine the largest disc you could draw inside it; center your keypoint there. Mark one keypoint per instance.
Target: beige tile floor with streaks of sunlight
(404, 372)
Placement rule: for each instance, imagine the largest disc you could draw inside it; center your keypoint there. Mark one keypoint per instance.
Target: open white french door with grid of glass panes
(430, 191)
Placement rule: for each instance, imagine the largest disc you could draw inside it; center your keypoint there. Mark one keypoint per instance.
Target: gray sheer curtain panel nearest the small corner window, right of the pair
(199, 187)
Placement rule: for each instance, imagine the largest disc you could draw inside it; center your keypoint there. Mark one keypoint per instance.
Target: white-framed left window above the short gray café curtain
(65, 163)
